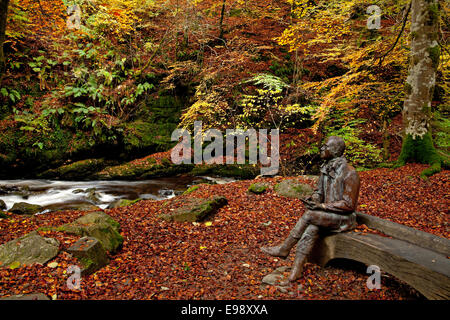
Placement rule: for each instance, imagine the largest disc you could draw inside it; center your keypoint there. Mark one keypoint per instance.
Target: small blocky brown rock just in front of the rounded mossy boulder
(90, 252)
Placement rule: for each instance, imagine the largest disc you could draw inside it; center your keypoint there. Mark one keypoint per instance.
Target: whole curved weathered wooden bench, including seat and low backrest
(415, 257)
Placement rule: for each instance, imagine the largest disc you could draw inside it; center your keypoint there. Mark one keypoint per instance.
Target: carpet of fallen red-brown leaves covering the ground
(220, 258)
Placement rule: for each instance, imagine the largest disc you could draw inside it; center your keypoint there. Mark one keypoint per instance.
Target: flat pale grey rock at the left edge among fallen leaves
(29, 249)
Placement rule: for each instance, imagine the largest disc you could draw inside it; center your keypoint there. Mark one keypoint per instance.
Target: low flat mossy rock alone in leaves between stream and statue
(196, 209)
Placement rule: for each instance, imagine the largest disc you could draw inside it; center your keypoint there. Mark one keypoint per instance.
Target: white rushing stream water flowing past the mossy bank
(62, 195)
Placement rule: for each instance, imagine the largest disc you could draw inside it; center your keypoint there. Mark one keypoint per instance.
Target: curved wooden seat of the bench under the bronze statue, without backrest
(425, 270)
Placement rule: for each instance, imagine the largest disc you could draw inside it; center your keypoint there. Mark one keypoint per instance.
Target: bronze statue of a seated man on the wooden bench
(331, 206)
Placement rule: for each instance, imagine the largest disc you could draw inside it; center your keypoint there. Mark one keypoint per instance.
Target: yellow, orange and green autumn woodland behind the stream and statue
(117, 87)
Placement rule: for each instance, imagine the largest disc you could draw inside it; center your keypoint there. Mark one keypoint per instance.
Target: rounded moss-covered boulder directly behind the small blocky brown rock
(98, 225)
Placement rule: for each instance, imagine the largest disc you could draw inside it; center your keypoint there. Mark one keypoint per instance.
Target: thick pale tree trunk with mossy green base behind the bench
(425, 52)
